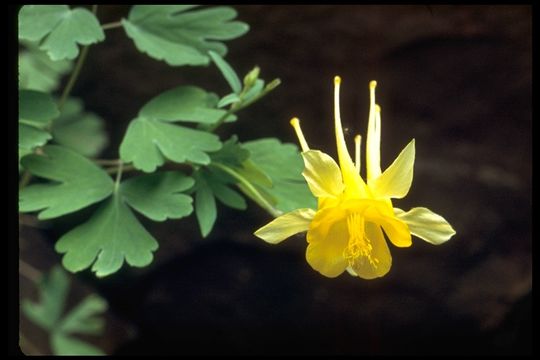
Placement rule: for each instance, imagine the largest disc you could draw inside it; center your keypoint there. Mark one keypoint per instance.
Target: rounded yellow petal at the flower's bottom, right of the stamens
(382, 260)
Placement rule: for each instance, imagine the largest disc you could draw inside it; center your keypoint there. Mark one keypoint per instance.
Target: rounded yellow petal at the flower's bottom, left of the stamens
(327, 239)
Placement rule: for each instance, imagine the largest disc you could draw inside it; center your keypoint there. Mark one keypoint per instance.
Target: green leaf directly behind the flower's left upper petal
(284, 165)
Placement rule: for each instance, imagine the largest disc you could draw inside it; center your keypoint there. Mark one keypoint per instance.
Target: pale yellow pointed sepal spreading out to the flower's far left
(286, 225)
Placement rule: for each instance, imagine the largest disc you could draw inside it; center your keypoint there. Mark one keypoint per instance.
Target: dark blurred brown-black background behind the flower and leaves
(455, 78)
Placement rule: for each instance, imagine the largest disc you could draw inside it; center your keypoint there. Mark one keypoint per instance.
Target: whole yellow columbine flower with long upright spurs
(346, 231)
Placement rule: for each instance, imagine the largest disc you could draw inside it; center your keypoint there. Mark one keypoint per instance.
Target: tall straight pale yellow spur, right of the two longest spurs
(373, 141)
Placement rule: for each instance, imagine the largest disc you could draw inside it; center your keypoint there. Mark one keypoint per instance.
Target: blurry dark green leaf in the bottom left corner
(49, 314)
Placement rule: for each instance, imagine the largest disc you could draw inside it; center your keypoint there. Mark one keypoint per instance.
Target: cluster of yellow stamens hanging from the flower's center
(359, 247)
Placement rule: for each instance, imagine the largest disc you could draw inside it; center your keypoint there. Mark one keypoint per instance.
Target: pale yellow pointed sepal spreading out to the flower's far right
(426, 225)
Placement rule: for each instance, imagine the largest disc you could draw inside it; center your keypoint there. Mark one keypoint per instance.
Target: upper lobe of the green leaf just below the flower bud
(183, 103)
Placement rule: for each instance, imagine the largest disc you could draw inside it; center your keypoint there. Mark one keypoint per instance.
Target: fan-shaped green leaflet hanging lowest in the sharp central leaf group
(113, 234)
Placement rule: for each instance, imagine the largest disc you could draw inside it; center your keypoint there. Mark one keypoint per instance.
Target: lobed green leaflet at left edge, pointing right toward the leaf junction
(79, 183)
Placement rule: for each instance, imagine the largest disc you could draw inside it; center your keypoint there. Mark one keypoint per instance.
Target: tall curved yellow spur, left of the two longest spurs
(354, 184)
